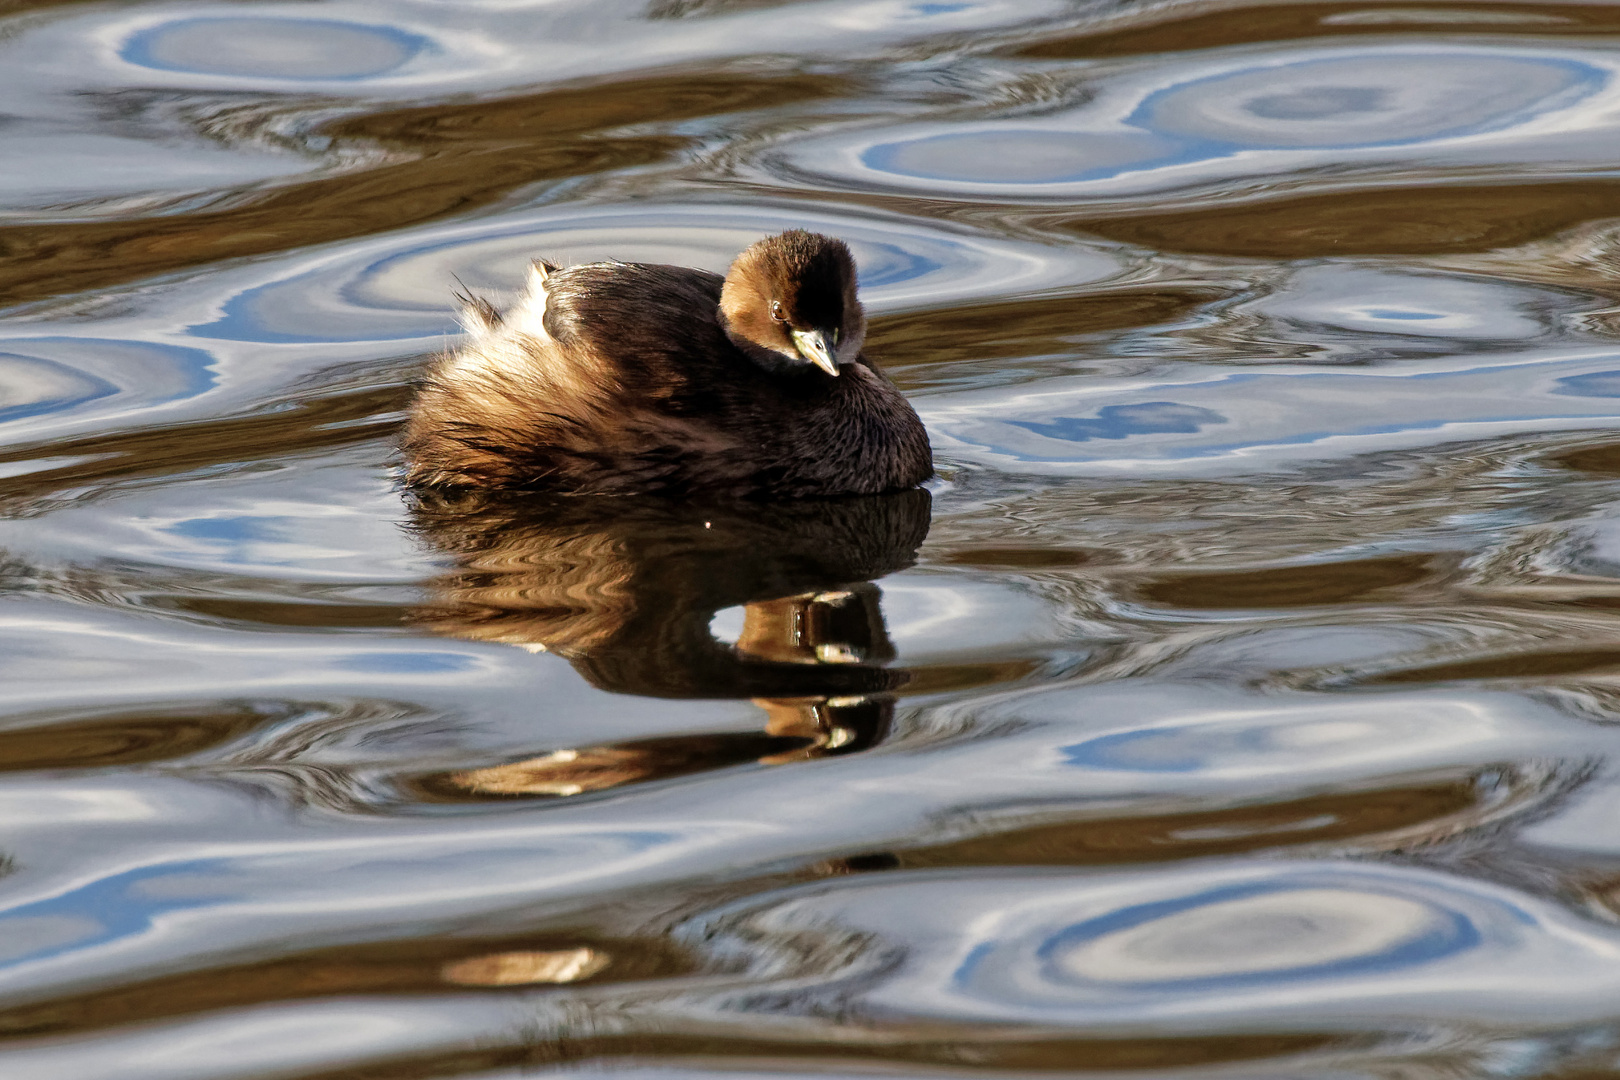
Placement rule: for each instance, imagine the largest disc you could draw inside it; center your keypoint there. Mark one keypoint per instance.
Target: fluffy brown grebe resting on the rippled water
(625, 378)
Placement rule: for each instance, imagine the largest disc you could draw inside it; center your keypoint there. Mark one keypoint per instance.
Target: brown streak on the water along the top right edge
(1290, 22)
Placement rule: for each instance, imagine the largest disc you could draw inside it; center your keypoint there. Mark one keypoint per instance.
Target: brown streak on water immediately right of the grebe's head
(1023, 328)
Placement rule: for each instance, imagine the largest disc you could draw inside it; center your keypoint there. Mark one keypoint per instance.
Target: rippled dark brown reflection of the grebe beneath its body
(626, 592)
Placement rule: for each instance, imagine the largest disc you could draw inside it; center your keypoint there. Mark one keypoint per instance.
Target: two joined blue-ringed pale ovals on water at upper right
(1227, 117)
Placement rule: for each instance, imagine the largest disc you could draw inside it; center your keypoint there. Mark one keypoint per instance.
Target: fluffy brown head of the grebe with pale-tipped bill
(790, 302)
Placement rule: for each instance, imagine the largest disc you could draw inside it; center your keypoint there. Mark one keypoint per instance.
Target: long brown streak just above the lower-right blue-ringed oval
(1195, 835)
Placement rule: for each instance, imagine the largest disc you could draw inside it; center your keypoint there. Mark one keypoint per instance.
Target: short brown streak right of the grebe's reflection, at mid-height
(1350, 582)
